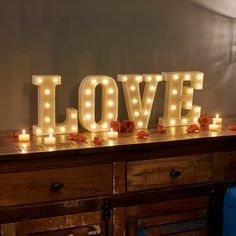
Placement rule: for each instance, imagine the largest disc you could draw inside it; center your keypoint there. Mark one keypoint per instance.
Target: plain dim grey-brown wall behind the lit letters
(75, 38)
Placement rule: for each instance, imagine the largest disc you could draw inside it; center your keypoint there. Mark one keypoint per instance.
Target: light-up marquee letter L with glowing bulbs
(46, 108)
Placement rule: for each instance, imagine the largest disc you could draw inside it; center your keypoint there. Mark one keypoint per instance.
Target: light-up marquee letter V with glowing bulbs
(139, 110)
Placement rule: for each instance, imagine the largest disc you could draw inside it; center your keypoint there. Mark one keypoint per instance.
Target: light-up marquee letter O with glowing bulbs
(87, 102)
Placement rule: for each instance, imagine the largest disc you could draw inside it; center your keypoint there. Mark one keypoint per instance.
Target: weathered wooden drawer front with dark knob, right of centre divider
(167, 172)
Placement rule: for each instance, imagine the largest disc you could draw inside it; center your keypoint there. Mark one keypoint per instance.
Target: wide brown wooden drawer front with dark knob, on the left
(56, 184)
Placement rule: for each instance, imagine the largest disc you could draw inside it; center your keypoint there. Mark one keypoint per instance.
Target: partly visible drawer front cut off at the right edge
(230, 165)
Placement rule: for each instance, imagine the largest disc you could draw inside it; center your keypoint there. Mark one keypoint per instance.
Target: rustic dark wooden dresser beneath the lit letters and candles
(168, 184)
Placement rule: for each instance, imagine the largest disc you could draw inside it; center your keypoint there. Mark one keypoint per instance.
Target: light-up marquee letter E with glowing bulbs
(179, 96)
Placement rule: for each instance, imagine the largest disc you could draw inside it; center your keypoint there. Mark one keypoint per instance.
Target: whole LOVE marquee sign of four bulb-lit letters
(177, 96)
